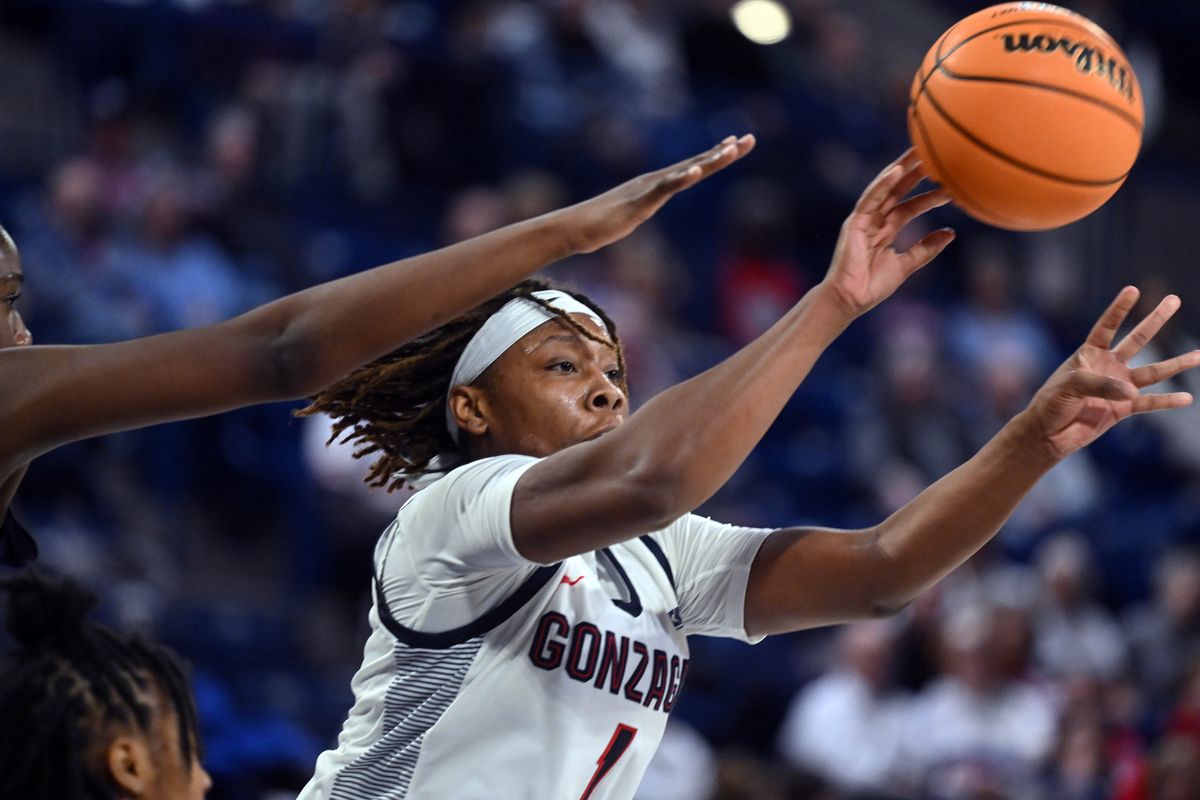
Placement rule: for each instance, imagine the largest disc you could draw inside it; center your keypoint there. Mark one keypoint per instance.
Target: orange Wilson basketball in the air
(1029, 115)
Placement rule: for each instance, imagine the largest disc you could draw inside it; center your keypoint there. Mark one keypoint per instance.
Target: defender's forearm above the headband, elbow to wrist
(321, 334)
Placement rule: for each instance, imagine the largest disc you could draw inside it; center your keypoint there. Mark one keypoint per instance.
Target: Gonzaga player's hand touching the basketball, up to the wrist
(866, 267)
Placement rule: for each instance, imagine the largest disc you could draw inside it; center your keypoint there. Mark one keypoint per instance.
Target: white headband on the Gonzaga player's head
(502, 332)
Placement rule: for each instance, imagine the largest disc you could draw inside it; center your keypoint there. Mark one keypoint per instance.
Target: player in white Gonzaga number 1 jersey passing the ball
(532, 605)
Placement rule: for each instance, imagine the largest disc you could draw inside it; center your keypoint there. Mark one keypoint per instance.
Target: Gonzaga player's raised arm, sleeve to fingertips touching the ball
(685, 444)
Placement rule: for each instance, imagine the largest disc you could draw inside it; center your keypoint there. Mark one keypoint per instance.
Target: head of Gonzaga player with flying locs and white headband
(530, 372)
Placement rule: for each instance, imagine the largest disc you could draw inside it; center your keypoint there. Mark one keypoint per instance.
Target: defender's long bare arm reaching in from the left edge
(301, 344)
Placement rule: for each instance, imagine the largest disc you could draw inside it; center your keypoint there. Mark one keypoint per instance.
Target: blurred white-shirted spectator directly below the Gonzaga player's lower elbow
(848, 727)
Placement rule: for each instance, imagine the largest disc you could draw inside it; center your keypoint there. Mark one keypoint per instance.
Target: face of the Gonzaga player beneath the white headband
(553, 389)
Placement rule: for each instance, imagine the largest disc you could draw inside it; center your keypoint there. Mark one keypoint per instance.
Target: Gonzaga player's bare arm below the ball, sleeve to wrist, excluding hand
(677, 450)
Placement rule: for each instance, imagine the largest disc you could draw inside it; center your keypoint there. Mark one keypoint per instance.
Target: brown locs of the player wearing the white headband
(395, 406)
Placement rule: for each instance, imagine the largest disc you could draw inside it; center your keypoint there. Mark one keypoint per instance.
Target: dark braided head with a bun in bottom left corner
(89, 713)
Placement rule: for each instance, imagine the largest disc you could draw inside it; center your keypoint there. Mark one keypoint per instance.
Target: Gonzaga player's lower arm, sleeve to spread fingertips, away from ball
(805, 579)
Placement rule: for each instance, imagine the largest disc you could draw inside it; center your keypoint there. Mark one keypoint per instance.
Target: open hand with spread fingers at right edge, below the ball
(1096, 388)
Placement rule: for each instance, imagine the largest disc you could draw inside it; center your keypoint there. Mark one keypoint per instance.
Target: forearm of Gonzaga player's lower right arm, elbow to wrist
(953, 519)
